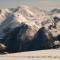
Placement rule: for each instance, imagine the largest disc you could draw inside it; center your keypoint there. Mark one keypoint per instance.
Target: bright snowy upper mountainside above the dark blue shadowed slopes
(30, 15)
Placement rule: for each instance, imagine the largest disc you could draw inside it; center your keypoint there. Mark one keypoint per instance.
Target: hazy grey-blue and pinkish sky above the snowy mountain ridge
(37, 3)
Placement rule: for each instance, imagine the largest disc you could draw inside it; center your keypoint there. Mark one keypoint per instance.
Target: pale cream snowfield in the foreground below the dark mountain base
(40, 54)
